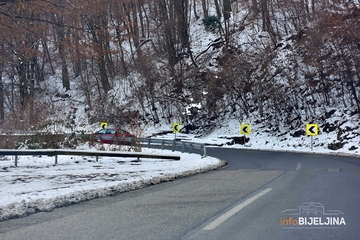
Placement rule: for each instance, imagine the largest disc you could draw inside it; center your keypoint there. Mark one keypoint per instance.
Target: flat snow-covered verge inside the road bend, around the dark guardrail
(39, 185)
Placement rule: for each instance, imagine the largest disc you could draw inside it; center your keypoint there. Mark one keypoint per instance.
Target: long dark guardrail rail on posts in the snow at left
(96, 154)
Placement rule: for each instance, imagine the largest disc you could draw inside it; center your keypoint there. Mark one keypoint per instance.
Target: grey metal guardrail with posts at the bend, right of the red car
(185, 146)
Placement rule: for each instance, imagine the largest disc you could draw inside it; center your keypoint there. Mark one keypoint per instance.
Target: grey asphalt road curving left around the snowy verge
(258, 195)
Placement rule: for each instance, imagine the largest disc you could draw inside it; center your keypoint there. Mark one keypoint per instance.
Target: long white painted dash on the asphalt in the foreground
(234, 210)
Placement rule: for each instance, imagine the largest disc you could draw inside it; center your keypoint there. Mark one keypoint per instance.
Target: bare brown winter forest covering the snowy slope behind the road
(287, 61)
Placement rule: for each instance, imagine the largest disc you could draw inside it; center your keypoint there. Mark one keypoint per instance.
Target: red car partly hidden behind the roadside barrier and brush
(114, 136)
